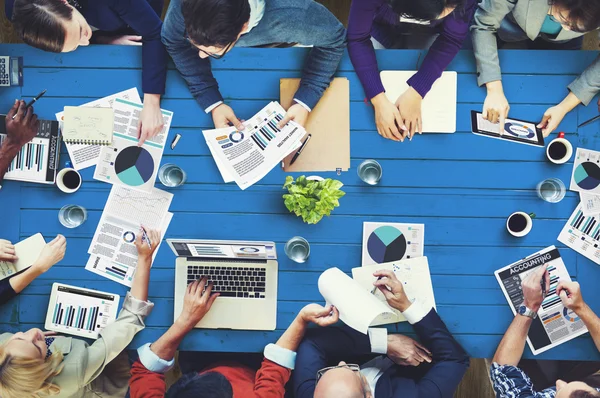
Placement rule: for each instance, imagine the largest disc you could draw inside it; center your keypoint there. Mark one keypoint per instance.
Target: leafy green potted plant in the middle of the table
(312, 198)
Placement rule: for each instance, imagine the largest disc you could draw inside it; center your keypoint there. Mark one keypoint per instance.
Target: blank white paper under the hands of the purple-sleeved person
(439, 105)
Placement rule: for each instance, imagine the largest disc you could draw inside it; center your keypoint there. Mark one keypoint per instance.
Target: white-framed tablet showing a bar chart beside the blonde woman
(79, 311)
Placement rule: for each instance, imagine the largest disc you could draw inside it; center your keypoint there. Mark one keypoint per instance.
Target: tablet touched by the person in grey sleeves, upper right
(519, 131)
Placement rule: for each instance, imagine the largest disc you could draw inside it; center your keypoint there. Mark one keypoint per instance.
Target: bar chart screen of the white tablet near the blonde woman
(83, 310)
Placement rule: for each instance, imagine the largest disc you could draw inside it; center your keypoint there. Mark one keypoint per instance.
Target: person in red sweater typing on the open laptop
(222, 379)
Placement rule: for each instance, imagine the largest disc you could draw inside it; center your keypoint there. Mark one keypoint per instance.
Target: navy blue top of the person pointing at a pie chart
(140, 15)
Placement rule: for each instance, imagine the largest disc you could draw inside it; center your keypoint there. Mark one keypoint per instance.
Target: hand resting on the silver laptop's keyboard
(196, 302)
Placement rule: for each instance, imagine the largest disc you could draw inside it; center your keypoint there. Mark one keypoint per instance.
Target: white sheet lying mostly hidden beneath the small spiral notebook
(82, 155)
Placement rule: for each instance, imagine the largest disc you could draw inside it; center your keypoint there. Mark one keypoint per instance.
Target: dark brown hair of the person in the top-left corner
(39, 23)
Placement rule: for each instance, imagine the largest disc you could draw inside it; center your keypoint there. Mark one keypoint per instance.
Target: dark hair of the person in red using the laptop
(206, 385)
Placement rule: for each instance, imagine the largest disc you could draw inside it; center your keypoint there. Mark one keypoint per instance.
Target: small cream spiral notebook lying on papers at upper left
(87, 125)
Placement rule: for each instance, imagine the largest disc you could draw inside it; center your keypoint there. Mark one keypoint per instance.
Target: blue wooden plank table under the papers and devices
(461, 186)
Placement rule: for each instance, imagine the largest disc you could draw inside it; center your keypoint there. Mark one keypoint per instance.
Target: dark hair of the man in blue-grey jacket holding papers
(214, 22)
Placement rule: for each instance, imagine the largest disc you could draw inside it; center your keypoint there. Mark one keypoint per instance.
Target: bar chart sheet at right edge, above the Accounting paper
(582, 234)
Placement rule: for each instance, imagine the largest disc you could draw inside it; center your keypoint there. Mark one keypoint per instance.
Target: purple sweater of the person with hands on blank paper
(453, 30)
